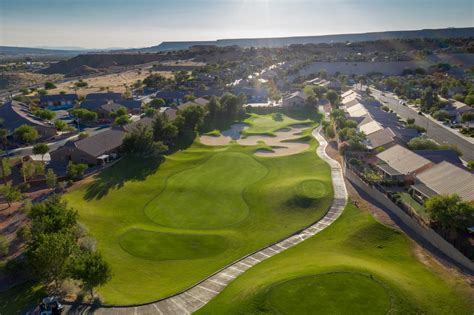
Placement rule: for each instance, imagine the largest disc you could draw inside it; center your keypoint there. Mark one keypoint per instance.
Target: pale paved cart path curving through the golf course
(197, 296)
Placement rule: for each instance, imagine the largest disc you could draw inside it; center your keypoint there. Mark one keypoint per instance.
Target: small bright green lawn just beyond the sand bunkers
(266, 124)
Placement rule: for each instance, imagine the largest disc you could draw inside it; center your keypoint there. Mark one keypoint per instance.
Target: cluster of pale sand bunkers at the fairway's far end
(281, 144)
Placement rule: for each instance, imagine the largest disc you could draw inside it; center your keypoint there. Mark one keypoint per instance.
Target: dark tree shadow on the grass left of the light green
(128, 169)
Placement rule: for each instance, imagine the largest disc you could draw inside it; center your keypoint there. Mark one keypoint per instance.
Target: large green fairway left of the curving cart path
(165, 225)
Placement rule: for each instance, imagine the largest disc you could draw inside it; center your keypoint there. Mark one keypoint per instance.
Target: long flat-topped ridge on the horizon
(285, 41)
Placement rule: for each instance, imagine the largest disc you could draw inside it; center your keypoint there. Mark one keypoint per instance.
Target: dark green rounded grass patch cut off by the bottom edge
(334, 293)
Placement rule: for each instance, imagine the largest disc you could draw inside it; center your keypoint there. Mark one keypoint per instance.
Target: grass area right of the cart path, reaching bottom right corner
(355, 266)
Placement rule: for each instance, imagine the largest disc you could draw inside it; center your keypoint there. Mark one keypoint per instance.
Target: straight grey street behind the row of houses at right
(438, 133)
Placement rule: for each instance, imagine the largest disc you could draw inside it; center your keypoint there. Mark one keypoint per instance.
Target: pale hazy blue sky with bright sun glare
(144, 23)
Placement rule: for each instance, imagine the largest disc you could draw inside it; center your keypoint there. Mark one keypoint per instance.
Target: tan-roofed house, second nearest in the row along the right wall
(400, 164)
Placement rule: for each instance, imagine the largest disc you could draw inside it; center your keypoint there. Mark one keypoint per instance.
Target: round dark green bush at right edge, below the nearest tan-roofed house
(450, 212)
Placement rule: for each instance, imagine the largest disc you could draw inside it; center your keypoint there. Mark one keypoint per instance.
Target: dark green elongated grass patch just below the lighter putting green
(168, 246)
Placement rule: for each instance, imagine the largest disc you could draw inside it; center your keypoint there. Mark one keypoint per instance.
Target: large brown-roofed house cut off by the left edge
(14, 114)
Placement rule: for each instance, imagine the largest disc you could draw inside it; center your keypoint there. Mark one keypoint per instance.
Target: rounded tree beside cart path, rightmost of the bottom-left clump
(92, 270)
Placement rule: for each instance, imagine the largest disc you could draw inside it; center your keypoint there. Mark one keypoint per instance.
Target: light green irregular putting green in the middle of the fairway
(213, 194)
